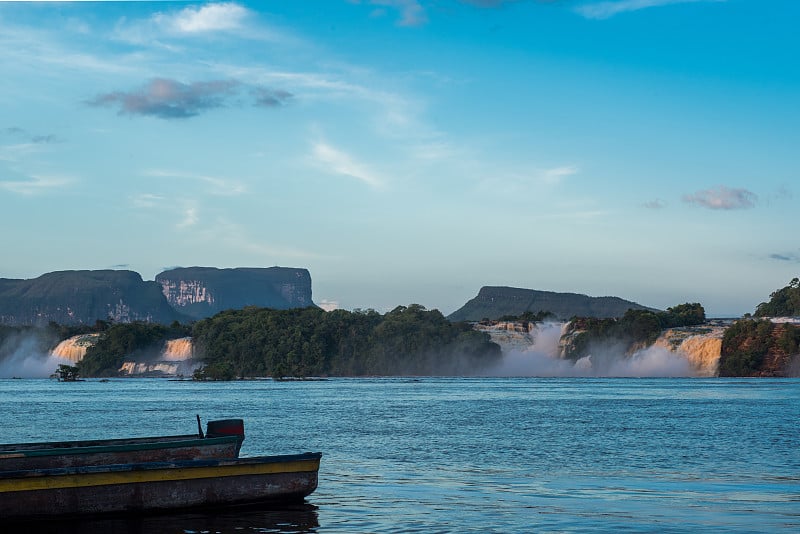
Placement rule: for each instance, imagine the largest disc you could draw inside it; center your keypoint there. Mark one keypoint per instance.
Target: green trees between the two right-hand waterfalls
(635, 327)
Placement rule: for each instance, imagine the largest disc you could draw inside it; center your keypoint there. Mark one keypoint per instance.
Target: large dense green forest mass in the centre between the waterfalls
(310, 342)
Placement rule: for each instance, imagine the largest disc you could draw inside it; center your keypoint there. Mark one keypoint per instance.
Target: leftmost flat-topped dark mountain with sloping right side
(75, 297)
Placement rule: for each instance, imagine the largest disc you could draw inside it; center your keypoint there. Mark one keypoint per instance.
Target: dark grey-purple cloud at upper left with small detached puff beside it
(165, 98)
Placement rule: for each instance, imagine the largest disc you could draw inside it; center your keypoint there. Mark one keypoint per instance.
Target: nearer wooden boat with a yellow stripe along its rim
(157, 486)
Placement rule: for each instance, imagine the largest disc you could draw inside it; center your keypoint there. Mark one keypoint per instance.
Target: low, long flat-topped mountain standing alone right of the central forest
(494, 302)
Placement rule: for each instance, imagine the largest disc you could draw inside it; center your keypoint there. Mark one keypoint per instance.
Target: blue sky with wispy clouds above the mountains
(409, 151)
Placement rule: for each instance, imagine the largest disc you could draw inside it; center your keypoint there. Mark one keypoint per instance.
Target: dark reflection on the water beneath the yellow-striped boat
(292, 520)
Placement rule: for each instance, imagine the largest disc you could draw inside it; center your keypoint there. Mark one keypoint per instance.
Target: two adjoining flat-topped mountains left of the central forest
(83, 297)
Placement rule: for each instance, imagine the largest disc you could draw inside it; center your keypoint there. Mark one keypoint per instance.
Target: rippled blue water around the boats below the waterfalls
(467, 455)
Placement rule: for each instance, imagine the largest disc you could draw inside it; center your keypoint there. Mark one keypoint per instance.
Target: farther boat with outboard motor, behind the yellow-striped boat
(223, 439)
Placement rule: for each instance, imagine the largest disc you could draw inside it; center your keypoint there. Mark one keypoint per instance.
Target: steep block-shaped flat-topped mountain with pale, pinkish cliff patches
(201, 292)
